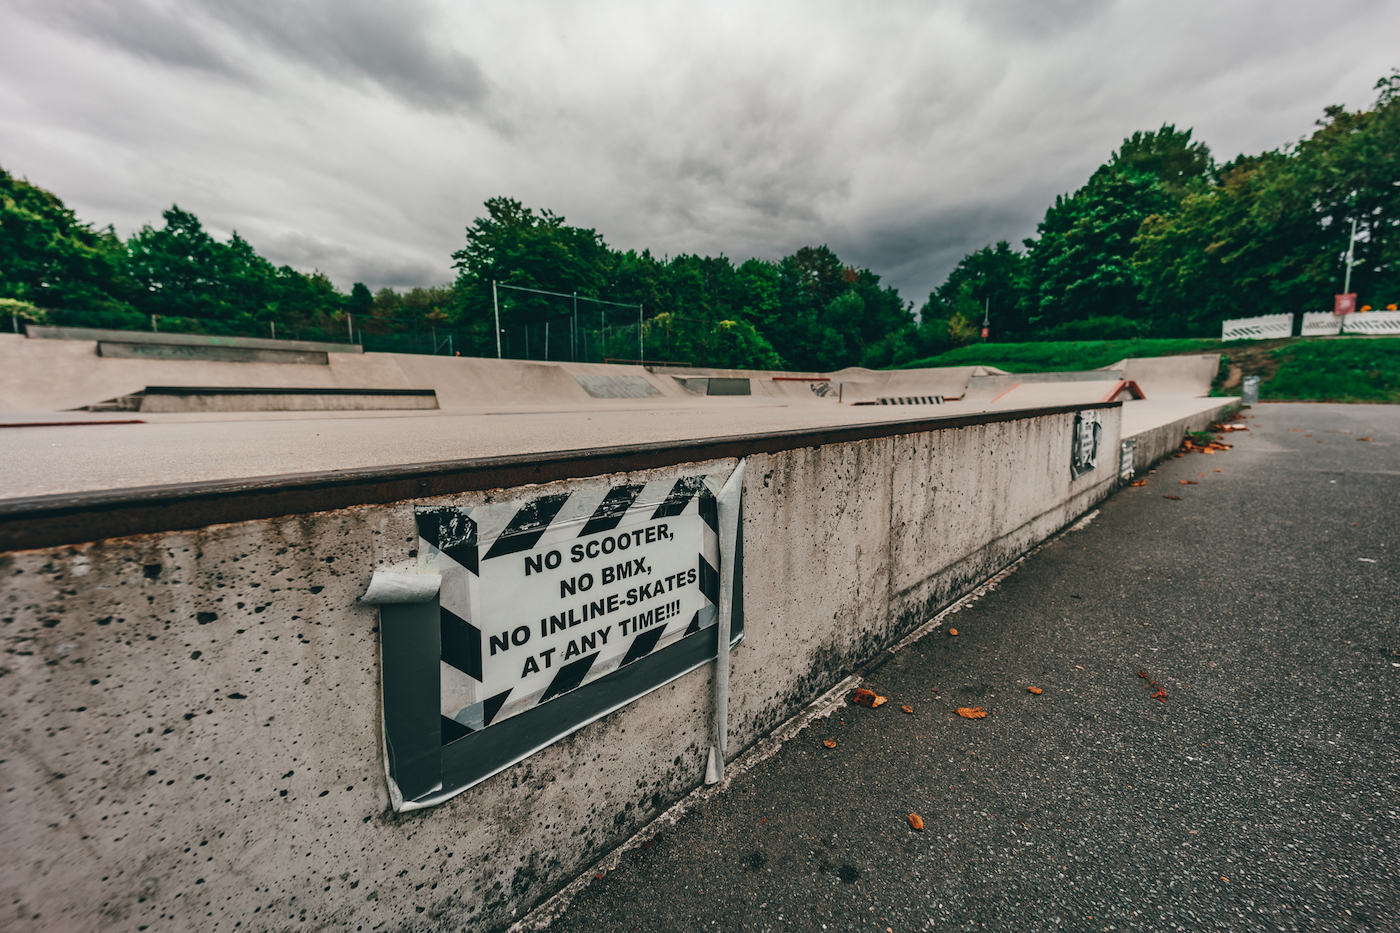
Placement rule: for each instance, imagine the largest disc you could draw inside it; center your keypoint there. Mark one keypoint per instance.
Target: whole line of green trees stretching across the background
(1161, 242)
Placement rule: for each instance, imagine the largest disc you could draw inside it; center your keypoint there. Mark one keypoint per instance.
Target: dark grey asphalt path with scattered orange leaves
(1256, 592)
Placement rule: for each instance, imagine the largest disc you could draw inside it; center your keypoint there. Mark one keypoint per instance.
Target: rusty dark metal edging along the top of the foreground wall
(66, 519)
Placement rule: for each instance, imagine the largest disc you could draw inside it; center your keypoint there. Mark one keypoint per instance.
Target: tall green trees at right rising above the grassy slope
(1163, 242)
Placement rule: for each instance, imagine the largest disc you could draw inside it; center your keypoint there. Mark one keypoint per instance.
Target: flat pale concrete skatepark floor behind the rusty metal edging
(97, 455)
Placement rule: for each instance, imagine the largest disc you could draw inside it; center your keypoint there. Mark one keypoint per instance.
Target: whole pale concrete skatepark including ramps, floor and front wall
(201, 693)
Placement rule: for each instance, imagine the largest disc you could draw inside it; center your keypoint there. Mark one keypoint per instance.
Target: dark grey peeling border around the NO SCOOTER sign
(430, 759)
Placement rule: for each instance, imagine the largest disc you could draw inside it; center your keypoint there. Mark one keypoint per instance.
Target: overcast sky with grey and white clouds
(362, 137)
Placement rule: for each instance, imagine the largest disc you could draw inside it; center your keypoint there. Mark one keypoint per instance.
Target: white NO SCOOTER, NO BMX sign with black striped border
(542, 596)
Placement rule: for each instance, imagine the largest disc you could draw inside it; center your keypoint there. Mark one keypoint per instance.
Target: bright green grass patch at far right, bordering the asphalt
(1346, 371)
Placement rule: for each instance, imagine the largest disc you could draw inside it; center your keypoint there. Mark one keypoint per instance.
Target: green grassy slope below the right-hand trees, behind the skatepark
(1339, 371)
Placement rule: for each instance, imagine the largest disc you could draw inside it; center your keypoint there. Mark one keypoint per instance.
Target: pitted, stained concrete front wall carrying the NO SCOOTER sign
(191, 724)
